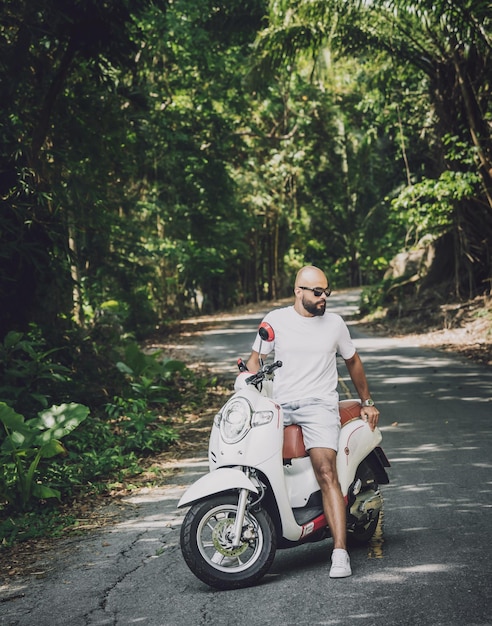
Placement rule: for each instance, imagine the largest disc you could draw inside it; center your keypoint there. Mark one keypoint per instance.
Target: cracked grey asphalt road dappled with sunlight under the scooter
(429, 565)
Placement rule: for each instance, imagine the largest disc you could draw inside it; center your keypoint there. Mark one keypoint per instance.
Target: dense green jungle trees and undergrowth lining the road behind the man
(162, 158)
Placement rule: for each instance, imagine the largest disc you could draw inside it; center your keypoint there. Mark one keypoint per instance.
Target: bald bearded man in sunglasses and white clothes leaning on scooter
(307, 341)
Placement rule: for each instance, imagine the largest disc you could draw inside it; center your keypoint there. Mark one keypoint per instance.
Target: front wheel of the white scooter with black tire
(208, 552)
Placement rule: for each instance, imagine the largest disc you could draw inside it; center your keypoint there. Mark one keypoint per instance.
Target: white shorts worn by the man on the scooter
(319, 420)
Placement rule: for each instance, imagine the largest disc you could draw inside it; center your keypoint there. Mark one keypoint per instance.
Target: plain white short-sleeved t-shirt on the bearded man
(307, 347)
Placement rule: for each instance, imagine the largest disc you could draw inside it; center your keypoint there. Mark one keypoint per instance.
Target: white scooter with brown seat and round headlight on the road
(261, 493)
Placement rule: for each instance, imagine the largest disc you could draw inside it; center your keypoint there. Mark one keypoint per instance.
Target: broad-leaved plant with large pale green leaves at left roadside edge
(26, 444)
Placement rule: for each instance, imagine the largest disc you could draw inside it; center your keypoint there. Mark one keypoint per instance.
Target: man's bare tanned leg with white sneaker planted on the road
(325, 469)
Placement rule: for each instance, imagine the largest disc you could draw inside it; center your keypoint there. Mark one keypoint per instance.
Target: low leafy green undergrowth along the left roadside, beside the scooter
(37, 470)
